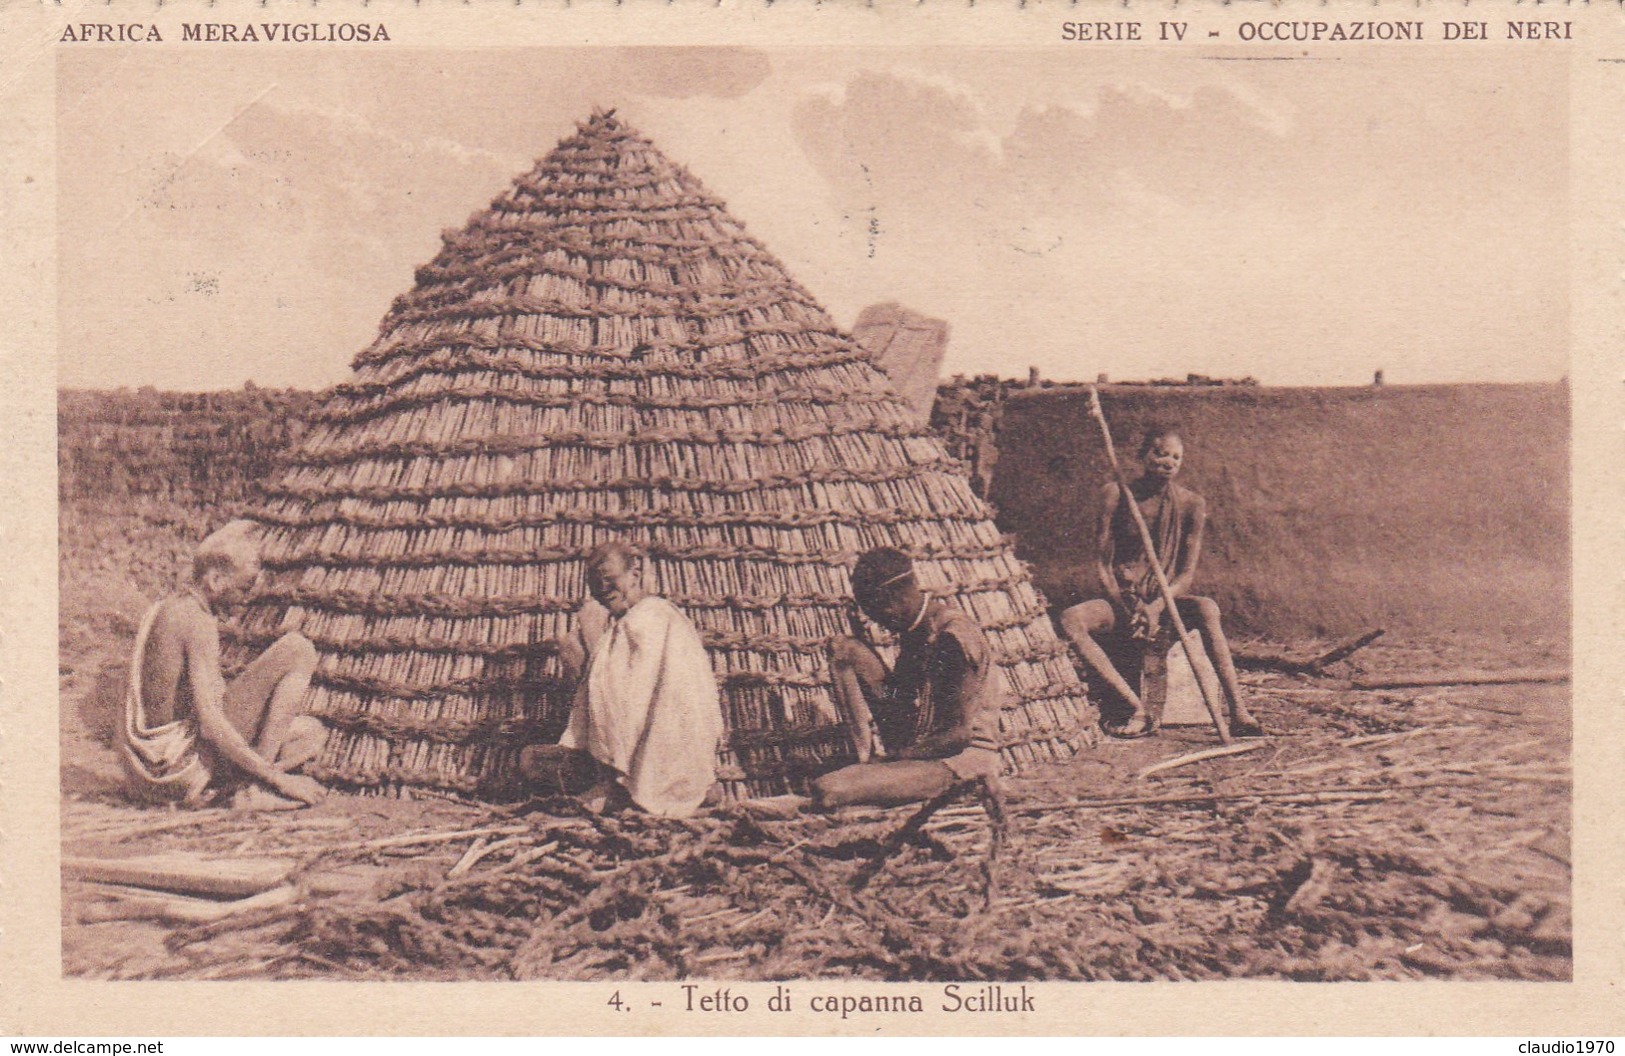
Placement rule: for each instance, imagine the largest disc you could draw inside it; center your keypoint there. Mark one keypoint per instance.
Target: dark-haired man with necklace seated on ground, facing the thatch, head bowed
(930, 722)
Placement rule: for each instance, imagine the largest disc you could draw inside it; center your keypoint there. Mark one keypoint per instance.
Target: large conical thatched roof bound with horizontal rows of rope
(605, 353)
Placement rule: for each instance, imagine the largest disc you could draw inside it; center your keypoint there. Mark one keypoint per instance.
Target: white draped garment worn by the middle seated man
(649, 709)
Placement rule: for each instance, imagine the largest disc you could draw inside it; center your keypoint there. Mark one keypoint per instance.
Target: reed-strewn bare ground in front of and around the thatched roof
(1392, 834)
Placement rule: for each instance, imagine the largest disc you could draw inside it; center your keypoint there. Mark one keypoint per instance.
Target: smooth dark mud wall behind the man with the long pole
(1332, 511)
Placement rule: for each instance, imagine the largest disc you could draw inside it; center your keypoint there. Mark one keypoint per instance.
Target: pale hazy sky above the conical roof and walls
(1135, 215)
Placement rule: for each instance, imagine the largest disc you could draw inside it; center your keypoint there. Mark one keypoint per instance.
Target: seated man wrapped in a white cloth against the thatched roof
(648, 716)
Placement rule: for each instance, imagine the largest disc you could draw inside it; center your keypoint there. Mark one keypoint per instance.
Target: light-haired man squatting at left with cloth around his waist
(188, 735)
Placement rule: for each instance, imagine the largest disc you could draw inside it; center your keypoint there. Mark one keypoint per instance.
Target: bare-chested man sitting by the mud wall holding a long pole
(1130, 595)
